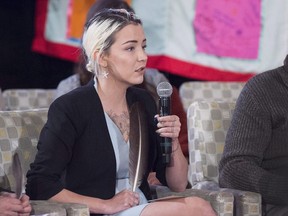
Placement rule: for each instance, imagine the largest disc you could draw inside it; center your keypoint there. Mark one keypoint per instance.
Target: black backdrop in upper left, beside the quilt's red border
(20, 67)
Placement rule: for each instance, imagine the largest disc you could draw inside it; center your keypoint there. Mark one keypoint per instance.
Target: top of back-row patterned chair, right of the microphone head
(209, 91)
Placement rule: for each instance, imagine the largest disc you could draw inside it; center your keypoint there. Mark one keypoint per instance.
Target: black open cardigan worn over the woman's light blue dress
(75, 150)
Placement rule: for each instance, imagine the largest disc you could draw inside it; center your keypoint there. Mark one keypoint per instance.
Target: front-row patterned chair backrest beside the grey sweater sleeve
(208, 123)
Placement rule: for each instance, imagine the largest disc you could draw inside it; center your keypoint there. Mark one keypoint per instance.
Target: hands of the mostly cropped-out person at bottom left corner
(10, 205)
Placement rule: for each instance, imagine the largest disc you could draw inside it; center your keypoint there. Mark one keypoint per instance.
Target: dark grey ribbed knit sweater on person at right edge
(255, 156)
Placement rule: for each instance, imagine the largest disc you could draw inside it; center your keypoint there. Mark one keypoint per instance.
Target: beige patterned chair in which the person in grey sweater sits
(208, 123)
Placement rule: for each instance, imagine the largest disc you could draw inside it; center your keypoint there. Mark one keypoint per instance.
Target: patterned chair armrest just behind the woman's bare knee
(221, 201)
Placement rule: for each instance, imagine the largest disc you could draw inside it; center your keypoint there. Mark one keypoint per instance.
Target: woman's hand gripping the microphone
(168, 126)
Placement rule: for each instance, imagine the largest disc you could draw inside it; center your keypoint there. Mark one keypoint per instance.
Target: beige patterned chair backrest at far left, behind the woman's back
(19, 132)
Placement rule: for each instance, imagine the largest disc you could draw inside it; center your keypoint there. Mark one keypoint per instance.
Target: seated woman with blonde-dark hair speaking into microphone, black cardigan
(83, 151)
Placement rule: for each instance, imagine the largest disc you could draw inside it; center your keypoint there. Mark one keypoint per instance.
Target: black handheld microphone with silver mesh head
(164, 91)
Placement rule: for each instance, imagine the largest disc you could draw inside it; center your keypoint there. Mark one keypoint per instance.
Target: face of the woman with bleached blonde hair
(126, 58)
